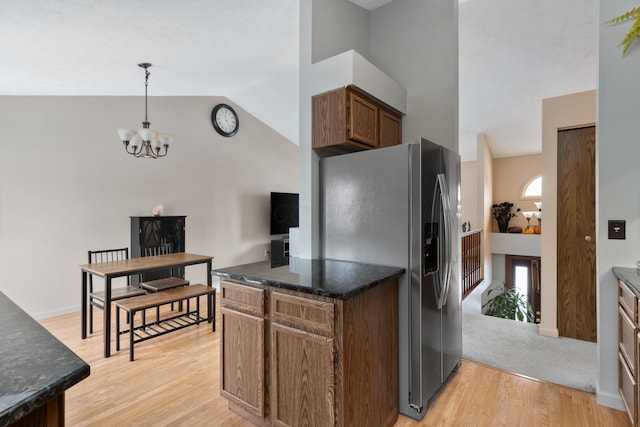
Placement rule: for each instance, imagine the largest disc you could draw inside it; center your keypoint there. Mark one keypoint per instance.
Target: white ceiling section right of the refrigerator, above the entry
(514, 54)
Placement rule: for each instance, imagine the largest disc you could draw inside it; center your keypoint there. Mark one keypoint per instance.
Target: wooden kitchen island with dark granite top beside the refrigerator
(310, 343)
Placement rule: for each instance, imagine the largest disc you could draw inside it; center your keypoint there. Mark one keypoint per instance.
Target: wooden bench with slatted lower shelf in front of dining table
(160, 326)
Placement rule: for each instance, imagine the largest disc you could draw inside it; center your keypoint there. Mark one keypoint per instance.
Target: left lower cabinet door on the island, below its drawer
(242, 360)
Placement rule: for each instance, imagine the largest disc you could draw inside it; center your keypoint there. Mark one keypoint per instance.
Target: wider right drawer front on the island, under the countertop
(302, 312)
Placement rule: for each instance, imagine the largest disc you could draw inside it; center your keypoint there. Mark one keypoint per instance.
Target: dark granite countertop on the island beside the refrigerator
(330, 278)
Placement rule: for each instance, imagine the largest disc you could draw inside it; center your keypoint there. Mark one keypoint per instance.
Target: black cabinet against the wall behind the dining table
(153, 231)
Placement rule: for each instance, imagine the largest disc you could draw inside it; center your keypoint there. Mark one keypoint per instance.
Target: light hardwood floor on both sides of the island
(175, 380)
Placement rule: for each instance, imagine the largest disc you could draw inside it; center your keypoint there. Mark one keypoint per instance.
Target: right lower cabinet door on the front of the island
(302, 378)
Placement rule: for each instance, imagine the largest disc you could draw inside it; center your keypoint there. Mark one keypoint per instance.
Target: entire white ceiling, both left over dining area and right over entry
(513, 54)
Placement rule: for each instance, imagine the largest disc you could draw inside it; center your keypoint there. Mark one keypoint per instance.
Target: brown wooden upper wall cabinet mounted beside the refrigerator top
(348, 119)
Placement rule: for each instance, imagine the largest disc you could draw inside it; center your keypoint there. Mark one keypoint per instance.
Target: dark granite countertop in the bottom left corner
(34, 365)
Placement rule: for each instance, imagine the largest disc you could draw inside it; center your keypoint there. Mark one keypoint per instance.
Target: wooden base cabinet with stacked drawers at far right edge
(628, 351)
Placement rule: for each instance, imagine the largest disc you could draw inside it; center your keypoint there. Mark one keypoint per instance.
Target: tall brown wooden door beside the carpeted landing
(576, 234)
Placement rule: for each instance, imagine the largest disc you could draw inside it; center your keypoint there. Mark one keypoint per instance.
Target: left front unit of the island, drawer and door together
(243, 347)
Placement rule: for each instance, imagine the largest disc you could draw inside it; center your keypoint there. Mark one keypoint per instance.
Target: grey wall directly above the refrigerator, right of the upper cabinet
(415, 42)
